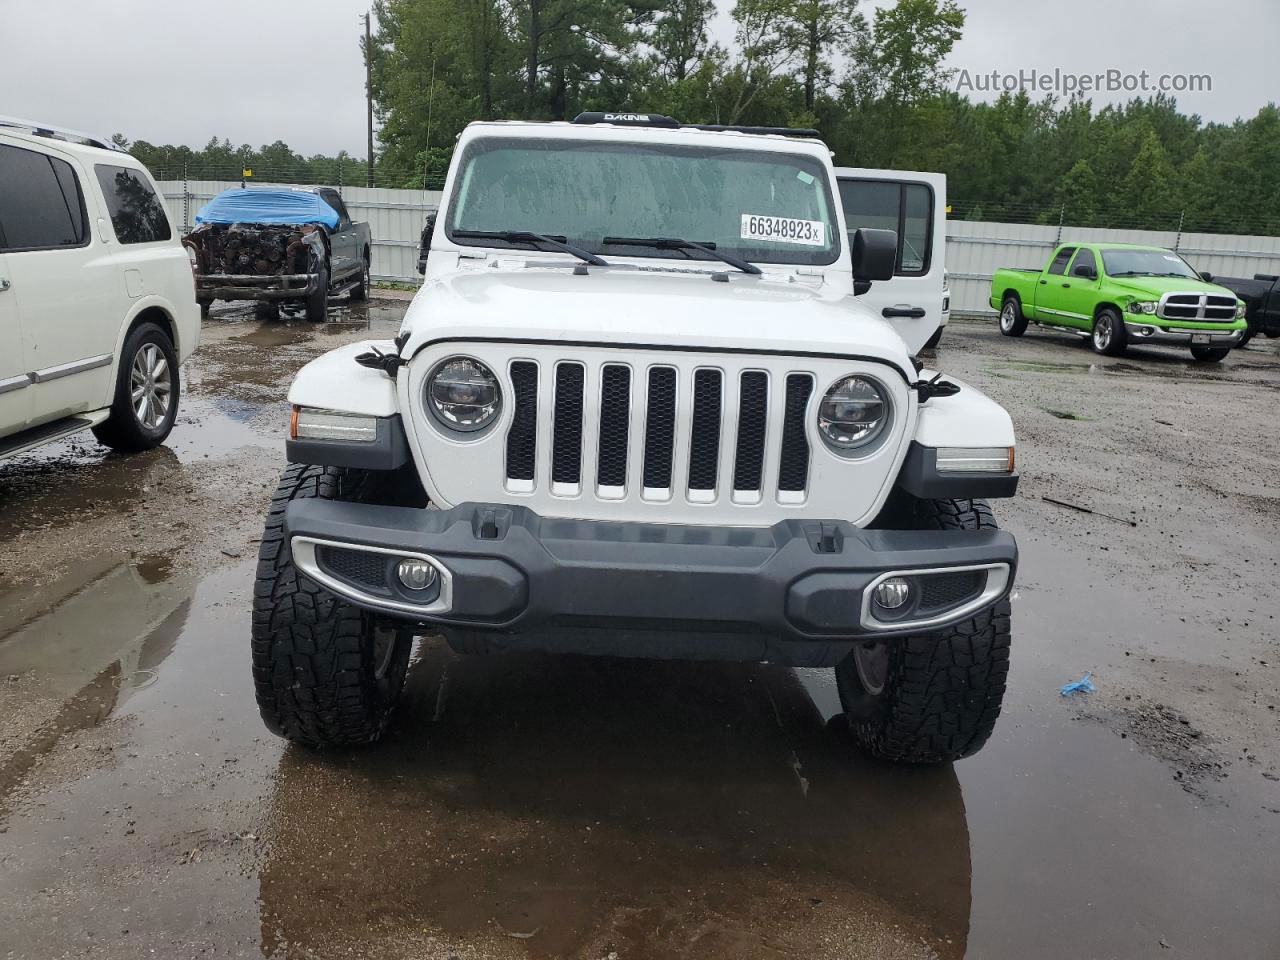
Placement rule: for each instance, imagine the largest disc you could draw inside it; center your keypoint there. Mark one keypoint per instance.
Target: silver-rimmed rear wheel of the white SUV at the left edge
(147, 392)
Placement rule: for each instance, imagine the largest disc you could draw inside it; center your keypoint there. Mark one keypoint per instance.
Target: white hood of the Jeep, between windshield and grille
(646, 308)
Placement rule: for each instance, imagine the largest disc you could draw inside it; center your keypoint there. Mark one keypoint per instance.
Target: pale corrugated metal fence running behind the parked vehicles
(976, 250)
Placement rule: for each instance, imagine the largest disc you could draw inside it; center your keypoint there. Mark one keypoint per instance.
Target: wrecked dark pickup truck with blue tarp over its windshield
(278, 245)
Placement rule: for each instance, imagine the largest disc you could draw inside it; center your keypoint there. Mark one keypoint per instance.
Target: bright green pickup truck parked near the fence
(1121, 295)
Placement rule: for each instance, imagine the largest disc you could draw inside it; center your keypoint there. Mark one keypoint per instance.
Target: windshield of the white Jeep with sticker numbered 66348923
(756, 205)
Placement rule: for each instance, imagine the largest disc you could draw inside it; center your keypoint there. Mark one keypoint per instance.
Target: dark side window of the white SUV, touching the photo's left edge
(42, 205)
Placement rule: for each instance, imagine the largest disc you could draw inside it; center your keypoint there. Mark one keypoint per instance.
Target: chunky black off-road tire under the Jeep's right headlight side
(935, 697)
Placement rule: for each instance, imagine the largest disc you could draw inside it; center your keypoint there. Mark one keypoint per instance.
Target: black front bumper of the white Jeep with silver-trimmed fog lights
(511, 570)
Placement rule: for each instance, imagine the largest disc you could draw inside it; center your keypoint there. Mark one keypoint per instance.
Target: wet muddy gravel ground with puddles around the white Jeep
(540, 807)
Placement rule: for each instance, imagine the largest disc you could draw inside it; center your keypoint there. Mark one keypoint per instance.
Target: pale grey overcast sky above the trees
(259, 71)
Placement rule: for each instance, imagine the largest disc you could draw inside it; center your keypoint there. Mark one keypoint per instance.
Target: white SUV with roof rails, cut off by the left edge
(98, 304)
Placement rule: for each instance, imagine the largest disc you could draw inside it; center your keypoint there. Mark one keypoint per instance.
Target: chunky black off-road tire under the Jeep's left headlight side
(326, 673)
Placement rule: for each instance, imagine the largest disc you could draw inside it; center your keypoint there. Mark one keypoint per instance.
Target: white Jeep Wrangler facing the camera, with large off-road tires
(639, 410)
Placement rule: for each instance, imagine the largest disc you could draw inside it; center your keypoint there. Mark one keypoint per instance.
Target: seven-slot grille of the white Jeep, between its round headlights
(724, 408)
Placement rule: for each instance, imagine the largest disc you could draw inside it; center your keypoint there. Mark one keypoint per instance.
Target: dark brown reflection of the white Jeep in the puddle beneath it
(656, 810)
